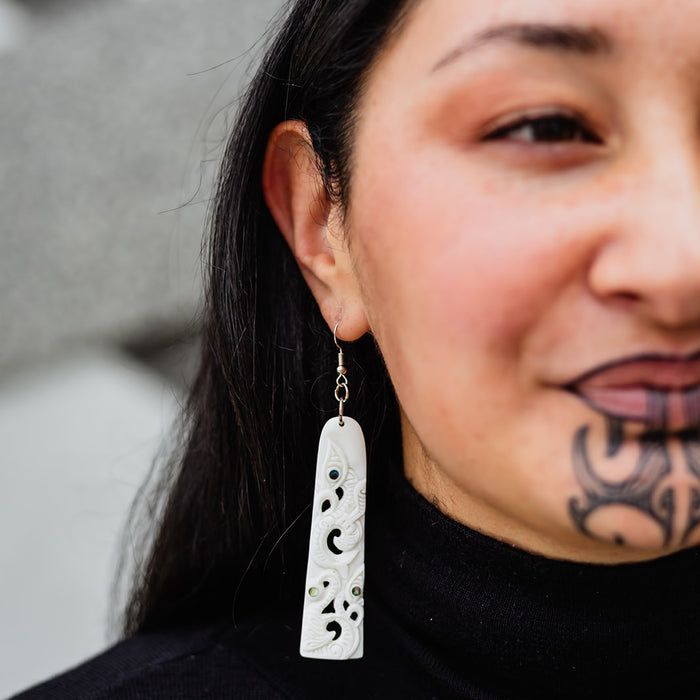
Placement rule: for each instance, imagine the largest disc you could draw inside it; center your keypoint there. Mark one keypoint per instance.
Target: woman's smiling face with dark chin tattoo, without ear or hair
(524, 224)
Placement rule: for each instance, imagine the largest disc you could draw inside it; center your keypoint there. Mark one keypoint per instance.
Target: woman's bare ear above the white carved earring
(312, 226)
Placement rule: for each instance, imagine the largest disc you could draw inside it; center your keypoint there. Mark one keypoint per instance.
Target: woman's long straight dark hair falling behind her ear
(230, 528)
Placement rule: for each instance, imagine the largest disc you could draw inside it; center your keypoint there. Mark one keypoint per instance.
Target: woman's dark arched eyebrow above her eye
(549, 37)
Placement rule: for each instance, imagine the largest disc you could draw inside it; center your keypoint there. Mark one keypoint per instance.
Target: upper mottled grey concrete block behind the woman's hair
(108, 108)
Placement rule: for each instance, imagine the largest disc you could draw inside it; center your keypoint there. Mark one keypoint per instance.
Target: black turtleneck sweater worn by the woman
(449, 613)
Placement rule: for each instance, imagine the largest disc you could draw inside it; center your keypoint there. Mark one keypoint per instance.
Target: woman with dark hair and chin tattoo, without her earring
(496, 206)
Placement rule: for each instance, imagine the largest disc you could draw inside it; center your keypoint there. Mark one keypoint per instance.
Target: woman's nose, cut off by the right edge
(649, 258)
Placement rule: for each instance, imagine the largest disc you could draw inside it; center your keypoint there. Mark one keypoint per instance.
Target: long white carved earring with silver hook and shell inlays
(333, 602)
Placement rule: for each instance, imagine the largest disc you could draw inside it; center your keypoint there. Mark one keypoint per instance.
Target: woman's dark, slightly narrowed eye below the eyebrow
(552, 128)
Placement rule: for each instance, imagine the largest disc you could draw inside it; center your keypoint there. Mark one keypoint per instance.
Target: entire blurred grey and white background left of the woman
(112, 115)
